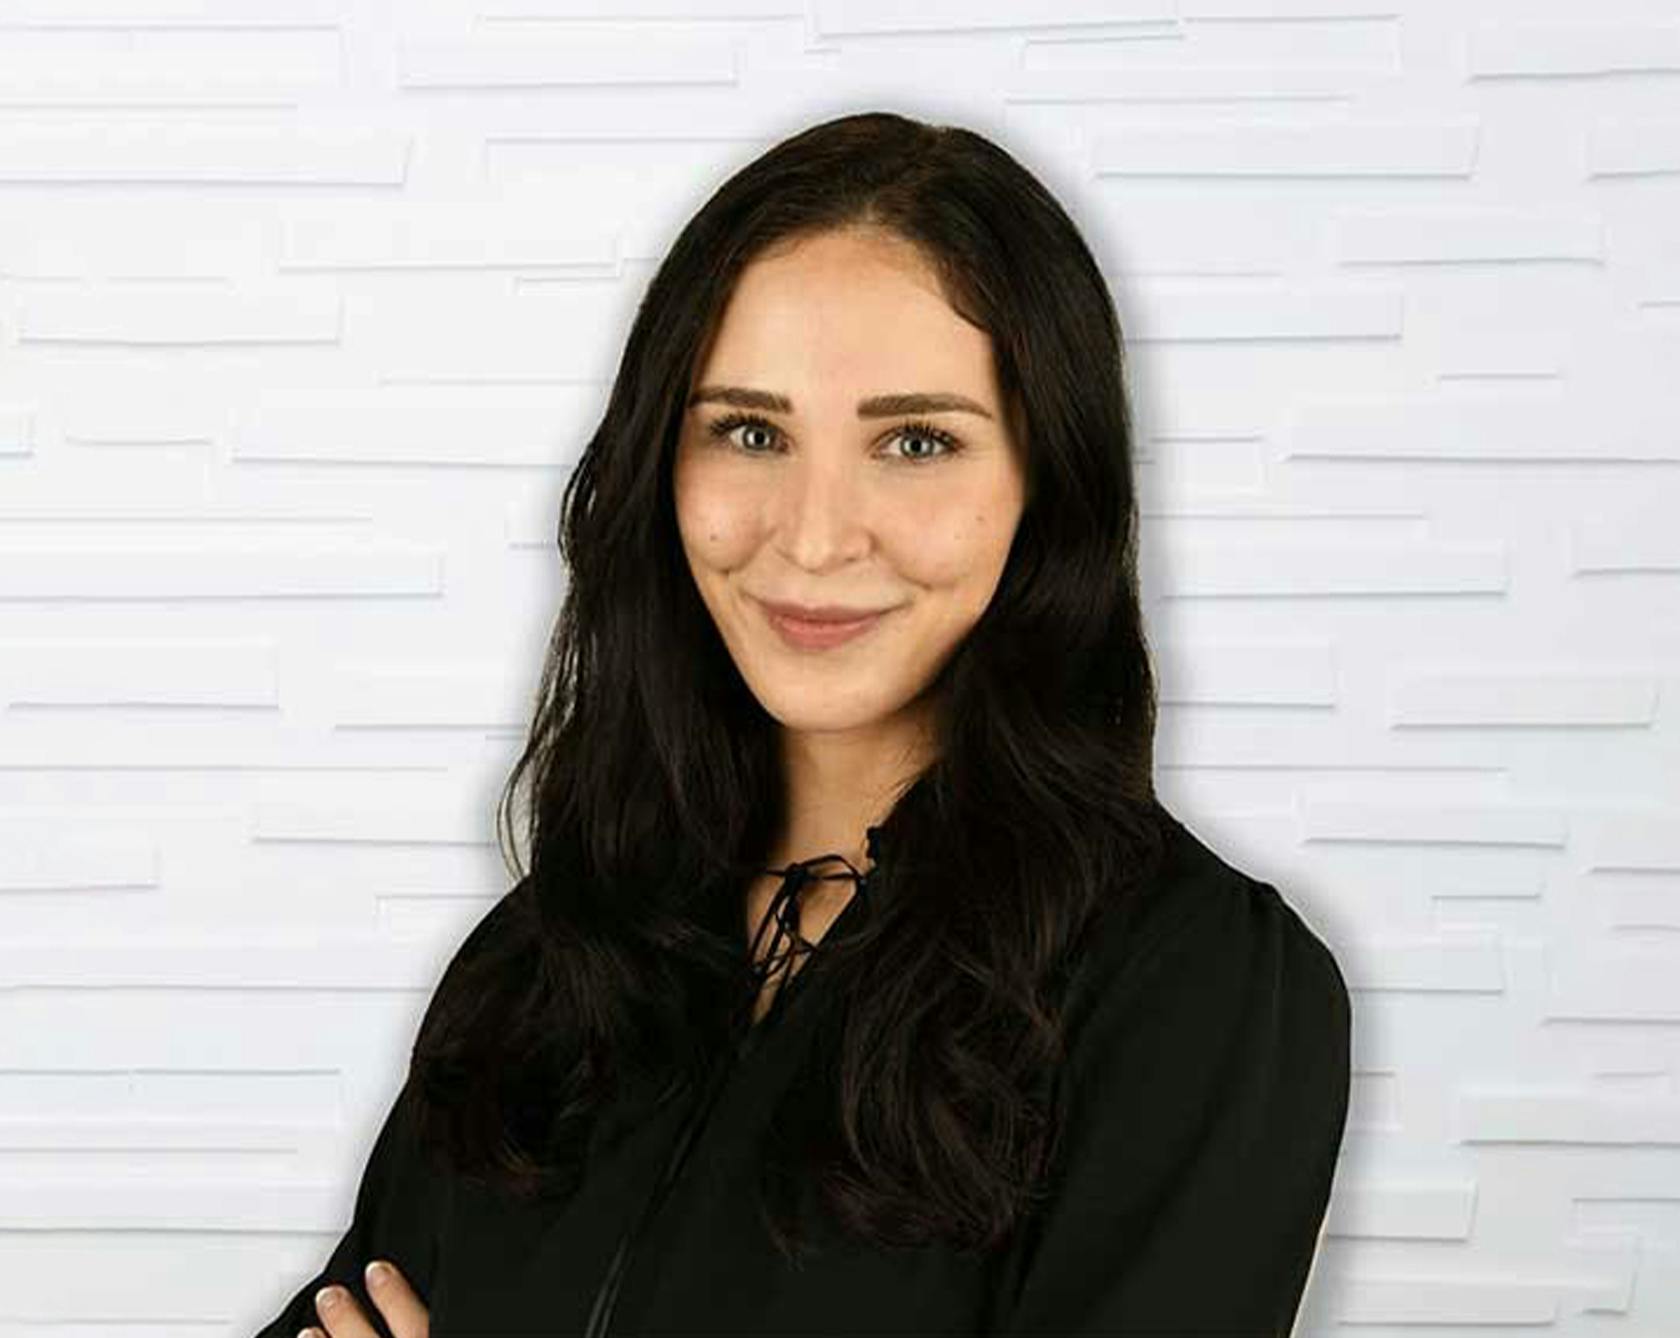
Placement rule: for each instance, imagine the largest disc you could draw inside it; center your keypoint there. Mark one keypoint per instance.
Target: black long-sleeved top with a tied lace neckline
(1205, 1093)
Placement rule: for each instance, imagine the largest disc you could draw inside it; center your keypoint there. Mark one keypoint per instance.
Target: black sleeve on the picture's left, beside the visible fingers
(396, 1218)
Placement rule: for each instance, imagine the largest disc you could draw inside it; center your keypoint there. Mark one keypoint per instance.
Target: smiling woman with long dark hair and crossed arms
(859, 982)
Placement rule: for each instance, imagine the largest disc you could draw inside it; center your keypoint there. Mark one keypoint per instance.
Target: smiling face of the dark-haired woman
(824, 498)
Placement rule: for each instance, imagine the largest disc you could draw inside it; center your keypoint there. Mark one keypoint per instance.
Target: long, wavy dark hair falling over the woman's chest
(658, 788)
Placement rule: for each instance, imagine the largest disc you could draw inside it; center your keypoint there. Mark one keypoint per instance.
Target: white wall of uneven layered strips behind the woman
(307, 308)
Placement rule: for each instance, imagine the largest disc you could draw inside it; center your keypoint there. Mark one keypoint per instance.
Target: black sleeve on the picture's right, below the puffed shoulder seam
(1207, 1097)
